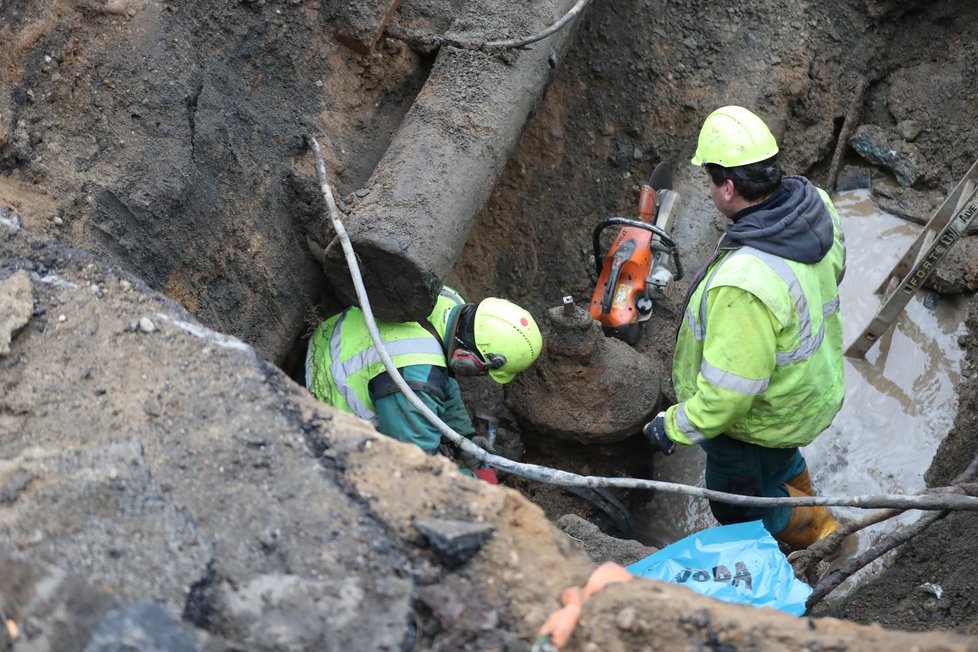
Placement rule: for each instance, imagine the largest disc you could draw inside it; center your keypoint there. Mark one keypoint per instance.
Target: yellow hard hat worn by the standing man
(732, 136)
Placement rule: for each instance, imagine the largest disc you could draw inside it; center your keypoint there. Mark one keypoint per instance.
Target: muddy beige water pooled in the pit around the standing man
(900, 400)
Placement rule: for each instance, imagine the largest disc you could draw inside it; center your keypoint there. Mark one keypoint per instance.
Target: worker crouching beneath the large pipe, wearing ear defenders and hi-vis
(494, 337)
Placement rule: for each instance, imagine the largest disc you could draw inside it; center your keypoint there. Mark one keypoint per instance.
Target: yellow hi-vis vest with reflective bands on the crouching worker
(341, 359)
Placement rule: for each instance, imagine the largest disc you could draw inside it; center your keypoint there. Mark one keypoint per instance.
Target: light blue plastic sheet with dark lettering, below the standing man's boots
(739, 563)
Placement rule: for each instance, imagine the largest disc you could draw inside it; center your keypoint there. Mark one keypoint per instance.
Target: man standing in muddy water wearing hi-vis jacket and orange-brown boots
(758, 366)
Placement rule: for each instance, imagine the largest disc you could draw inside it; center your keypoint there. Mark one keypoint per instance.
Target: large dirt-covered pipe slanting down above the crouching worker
(446, 157)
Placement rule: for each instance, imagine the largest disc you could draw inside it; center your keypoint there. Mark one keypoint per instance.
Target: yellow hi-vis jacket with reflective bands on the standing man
(798, 400)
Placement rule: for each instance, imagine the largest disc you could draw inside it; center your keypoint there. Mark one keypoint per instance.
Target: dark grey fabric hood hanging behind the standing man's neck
(793, 223)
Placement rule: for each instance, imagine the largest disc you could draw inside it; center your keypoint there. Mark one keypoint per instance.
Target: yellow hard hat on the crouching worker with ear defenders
(506, 337)
